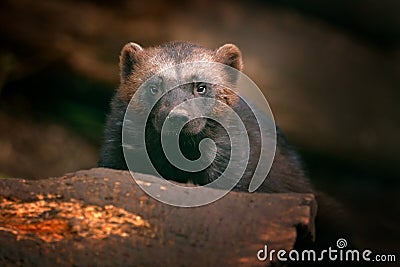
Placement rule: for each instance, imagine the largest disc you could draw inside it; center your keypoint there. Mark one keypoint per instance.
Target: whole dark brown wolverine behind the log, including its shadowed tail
(143, 81)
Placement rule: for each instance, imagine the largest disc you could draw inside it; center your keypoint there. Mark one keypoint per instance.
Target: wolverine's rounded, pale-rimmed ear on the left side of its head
(128, 58)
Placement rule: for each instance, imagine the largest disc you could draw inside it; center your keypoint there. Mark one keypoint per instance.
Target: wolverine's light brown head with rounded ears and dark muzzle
(176, 79)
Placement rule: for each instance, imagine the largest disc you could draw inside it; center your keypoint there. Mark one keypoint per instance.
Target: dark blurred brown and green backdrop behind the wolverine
(329, 69)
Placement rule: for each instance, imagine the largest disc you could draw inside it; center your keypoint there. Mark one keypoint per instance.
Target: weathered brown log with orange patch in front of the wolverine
(101, 217)
